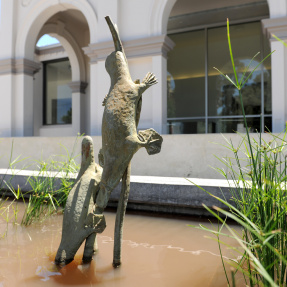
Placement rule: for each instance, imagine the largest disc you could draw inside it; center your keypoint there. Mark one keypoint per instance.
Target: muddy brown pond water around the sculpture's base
(156, 252)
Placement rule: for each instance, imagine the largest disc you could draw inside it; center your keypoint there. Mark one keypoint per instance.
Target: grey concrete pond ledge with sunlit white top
(147, 193)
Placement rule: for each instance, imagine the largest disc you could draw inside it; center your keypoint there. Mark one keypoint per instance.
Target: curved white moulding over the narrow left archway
(33, 22)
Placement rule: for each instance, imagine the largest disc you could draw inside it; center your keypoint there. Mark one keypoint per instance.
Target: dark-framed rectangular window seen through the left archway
(57, 93)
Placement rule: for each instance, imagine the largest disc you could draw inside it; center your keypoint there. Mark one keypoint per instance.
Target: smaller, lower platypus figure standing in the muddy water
(79, 205)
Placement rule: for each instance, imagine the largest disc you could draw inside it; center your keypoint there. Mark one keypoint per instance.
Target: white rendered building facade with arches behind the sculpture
(142, 26)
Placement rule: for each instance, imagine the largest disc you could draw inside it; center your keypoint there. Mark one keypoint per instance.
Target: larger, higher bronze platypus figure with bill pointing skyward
(120, 140)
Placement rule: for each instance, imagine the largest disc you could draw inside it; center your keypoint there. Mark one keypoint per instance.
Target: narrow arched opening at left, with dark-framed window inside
(60, 82)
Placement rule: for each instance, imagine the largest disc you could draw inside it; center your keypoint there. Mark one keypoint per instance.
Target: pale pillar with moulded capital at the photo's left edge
(16, 79)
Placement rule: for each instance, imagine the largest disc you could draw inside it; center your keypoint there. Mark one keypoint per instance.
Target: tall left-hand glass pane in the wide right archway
(186, 75)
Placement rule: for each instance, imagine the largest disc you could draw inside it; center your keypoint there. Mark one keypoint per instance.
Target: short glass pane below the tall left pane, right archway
(186, 127)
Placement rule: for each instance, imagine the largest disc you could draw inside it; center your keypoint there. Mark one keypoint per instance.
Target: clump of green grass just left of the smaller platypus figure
(50, 186)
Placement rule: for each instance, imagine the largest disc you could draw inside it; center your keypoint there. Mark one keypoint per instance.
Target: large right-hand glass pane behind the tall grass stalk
(223, 97)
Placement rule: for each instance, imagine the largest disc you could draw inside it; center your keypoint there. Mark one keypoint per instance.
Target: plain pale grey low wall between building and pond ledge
(181, 155)
